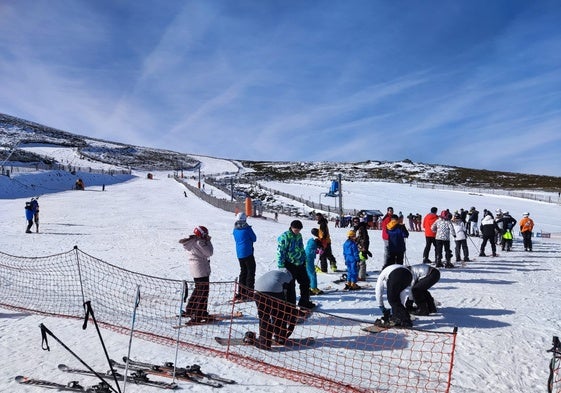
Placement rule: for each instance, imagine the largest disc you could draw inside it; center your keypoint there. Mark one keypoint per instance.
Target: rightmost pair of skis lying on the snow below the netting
(190, 373)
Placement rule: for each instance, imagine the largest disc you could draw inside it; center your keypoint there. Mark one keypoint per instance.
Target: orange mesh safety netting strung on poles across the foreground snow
(341, 357)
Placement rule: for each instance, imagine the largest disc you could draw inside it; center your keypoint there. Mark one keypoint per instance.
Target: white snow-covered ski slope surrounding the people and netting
(506, 308)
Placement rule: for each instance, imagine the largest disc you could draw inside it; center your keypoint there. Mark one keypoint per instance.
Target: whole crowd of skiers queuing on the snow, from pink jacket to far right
(407, 287)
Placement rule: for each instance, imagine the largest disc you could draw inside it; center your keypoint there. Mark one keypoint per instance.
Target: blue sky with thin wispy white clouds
(467, 83)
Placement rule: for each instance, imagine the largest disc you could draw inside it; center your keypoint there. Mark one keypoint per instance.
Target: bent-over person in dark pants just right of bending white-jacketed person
(424, 277)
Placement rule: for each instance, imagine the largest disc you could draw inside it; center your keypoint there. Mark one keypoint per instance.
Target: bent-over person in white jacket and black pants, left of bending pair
(396, 279)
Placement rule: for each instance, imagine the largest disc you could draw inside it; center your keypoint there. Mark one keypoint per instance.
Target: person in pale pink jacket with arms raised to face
(199, 249)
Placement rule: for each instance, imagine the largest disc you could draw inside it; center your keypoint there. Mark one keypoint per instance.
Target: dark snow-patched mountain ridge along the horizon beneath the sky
(17, 133)
